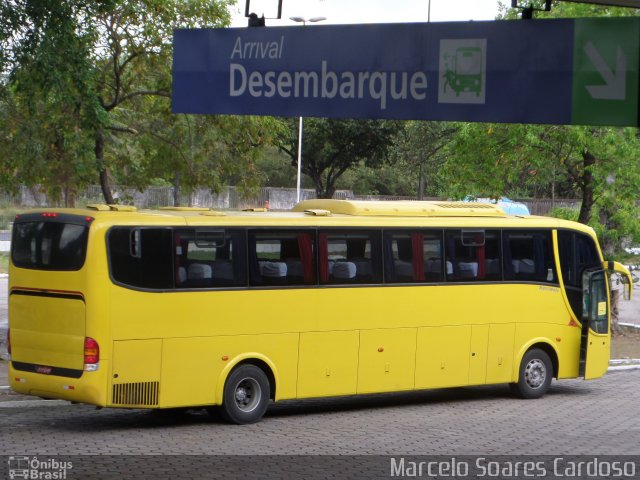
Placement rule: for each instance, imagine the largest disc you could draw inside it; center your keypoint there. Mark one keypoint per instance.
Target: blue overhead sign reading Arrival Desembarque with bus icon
(508, 71)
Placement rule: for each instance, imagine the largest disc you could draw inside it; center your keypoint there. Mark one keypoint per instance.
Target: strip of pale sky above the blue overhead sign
(370, 11)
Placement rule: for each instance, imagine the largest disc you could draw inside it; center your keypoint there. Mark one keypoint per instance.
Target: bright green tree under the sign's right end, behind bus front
(497, 160)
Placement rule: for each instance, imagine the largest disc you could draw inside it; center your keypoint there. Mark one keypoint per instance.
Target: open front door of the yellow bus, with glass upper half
(595, 342)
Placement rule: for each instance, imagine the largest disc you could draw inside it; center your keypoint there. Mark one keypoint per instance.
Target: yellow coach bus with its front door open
(189, 307)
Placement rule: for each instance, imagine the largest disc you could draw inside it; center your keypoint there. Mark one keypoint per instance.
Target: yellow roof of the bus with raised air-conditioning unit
(327, 213)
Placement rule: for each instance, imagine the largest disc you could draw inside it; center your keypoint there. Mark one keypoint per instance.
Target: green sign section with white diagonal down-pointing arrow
(605, 80)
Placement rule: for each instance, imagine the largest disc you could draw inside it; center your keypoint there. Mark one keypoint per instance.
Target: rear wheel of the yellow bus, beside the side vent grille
(246, 395)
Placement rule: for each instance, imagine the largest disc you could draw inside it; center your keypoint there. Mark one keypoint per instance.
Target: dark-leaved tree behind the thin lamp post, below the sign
(330, 147)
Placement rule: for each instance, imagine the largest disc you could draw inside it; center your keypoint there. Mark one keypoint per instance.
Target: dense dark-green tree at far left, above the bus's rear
(48, 92)
